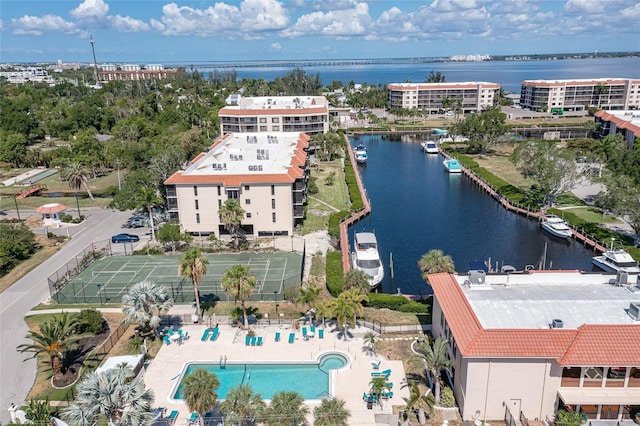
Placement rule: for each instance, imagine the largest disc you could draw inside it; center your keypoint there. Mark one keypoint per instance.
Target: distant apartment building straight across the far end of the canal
(474, 96)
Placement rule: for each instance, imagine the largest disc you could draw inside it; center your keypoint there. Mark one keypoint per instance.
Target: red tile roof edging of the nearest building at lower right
(590, 344)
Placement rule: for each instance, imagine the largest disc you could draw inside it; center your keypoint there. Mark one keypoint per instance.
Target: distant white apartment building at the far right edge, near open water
(578, 94)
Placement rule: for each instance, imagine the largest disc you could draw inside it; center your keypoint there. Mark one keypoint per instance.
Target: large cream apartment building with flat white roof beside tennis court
(266, 172)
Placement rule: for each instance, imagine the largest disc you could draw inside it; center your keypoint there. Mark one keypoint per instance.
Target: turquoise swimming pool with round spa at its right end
(311, 379)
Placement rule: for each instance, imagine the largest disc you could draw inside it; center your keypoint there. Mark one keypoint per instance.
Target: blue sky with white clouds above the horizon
(165, 31)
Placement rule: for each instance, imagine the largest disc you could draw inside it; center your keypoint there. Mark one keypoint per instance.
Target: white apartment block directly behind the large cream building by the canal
(297, 114)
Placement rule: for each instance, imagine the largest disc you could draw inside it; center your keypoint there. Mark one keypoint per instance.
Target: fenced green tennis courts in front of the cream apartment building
(108, 279)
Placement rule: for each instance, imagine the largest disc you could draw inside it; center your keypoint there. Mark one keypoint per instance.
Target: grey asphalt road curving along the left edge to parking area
(16, 375)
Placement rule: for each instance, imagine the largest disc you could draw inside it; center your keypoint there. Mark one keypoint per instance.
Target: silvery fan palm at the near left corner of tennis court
(144, 304)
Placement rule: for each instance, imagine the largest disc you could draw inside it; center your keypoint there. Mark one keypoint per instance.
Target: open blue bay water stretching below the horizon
(509, 74)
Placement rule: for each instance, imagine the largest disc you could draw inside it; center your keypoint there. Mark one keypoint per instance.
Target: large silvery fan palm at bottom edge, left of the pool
(112, 395)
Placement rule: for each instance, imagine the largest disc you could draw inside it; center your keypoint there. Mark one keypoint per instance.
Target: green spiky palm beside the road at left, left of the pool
(56, 337)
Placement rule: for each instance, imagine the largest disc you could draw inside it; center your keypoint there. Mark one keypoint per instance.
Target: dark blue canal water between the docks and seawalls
(417, 206)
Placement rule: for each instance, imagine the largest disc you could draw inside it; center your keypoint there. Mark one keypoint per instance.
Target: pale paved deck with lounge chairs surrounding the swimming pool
(350, 382)
